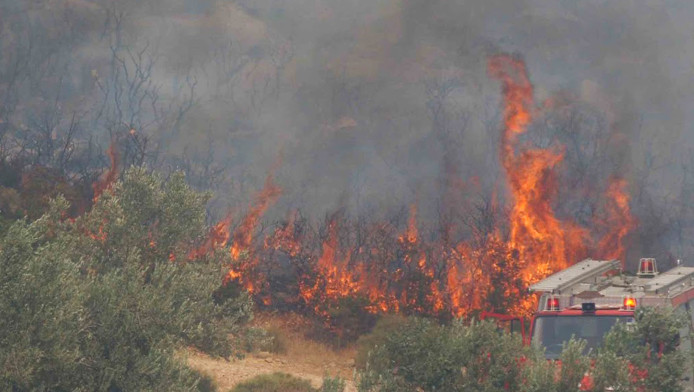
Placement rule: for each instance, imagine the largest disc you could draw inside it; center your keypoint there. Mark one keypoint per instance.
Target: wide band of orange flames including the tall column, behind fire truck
(391, 269)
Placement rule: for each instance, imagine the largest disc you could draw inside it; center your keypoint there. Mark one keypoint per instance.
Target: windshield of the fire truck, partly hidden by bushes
(551, 332)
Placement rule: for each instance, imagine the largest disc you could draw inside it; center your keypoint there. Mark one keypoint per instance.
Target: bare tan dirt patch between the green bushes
(303, 358)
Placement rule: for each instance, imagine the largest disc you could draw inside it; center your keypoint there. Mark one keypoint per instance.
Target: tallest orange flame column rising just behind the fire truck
(543, 242)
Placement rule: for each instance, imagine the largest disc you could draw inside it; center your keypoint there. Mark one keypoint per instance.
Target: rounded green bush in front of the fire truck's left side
(422, 354)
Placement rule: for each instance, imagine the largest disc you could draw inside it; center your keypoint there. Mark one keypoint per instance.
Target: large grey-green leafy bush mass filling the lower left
(102, 302)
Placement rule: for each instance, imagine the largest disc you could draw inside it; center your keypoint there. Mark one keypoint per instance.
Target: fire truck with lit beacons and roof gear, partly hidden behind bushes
(587, 299)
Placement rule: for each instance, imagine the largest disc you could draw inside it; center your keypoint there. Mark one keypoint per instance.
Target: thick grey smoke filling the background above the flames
(367, 105)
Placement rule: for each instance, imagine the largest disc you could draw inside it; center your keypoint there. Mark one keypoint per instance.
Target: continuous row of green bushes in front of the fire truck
(422, 355)
